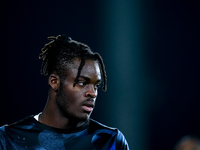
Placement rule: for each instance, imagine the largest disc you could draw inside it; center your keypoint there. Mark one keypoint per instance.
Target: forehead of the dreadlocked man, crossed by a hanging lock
(90, 69)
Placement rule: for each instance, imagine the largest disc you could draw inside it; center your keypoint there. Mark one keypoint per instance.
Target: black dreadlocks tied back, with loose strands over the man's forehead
(61, 51)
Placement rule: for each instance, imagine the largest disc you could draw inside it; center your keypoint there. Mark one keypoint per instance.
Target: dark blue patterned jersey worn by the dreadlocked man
(29, 134)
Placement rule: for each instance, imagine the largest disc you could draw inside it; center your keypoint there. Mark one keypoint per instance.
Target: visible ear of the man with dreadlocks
(54, 81)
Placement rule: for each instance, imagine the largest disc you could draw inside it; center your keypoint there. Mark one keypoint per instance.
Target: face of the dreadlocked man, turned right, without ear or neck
(78, 102)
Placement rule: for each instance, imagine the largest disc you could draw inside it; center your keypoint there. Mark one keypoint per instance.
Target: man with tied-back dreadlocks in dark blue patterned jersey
(74, 75)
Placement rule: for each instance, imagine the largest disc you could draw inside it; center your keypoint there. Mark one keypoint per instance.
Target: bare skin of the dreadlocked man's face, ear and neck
(66, 106)
